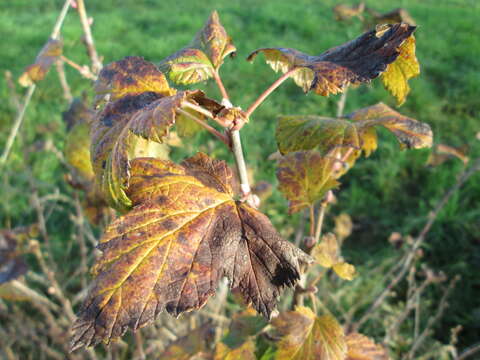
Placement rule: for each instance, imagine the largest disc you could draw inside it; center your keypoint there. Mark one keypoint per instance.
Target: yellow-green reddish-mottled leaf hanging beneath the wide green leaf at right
(305, 177)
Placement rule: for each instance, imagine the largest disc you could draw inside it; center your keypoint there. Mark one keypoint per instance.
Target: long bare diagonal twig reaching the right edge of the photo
(410, 256)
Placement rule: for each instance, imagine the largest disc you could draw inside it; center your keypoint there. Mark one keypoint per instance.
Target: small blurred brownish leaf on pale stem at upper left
(50, 52)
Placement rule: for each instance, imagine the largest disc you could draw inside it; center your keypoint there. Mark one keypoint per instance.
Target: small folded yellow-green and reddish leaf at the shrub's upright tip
(203, 57)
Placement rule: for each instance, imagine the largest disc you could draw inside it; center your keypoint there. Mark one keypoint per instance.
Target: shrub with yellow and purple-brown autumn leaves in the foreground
(183, 227)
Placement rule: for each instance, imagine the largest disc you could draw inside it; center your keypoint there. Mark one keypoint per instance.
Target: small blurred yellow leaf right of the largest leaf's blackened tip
(327, 254)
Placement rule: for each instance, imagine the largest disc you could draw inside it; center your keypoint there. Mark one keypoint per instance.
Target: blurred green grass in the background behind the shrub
(390, 191)
